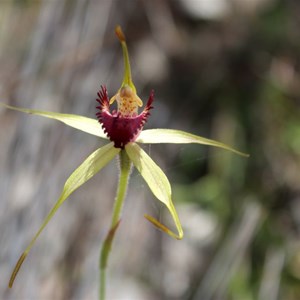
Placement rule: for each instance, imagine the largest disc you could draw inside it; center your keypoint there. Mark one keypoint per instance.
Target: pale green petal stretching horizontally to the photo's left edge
(85, 124)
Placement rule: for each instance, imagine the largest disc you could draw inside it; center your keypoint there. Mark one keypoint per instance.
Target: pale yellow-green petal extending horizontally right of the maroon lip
(157, 136)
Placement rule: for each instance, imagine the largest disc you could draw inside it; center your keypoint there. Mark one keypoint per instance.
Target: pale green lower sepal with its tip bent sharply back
(157, 182)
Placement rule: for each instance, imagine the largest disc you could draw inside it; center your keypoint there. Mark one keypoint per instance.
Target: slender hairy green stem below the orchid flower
(125, 167)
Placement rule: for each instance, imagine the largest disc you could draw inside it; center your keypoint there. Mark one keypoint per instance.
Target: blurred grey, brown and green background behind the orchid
(224, 69)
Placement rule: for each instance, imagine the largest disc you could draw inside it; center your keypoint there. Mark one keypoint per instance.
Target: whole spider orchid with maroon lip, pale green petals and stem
(123, 127)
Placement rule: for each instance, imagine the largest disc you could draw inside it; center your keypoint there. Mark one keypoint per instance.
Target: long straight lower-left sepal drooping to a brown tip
(91, 166)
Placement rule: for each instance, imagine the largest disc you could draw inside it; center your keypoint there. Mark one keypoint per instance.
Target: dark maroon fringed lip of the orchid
(119, 128)
